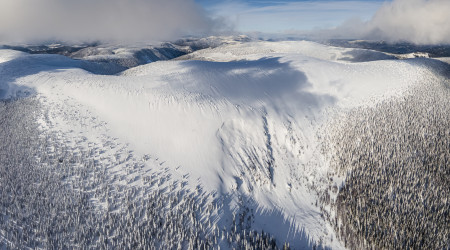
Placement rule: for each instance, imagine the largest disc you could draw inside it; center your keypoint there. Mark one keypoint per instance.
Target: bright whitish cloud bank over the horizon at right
(415, 21)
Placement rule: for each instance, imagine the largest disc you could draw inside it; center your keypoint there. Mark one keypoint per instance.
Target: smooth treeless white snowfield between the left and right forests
(241, 120)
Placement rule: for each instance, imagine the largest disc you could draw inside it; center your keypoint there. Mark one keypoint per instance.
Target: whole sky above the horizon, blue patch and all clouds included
(416, 21)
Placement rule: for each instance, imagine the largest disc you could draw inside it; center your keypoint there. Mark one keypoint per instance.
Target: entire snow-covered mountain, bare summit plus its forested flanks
(245, 145)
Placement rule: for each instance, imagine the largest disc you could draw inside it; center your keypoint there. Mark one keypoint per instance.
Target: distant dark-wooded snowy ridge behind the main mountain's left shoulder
(112, 58)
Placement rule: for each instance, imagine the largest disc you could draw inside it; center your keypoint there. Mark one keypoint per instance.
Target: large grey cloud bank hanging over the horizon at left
(104, 20)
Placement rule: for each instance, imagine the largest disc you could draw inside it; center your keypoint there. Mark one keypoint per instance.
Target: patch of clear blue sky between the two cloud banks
(285, 15)
